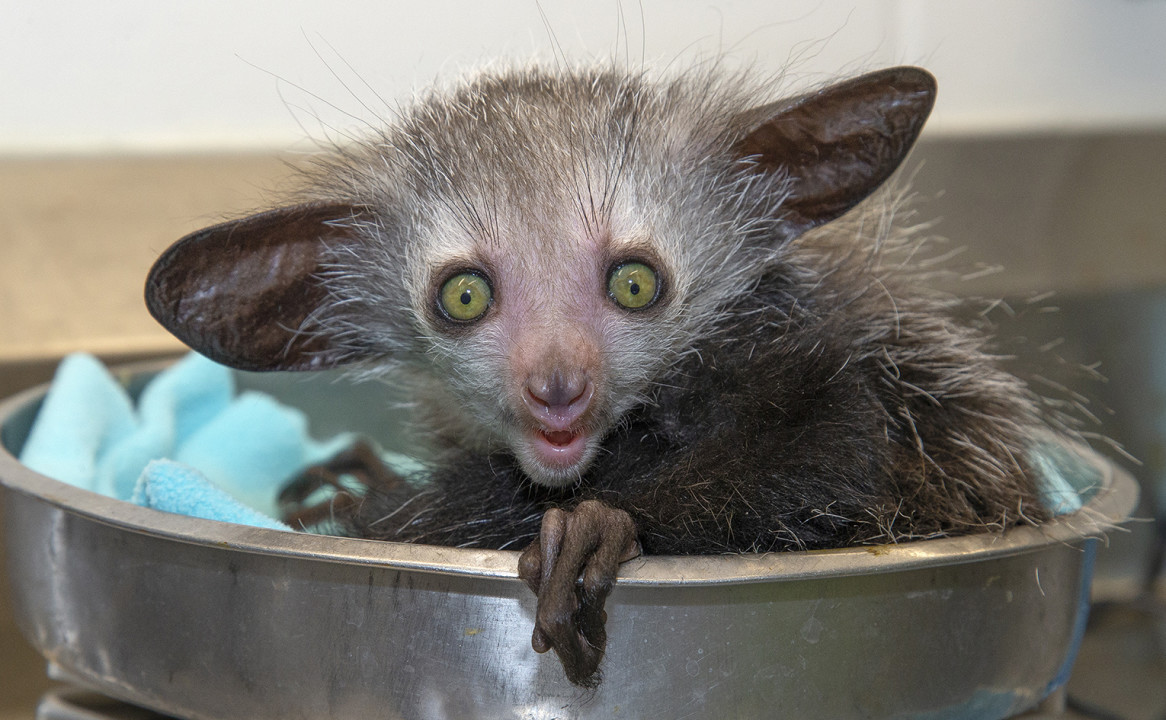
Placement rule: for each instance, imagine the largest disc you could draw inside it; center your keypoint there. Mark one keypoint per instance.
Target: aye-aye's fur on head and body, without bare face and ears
(796, 395)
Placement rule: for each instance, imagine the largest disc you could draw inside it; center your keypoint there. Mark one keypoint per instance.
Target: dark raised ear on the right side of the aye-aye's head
(839, 144)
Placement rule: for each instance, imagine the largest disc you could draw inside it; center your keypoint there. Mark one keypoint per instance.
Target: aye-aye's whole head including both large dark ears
(545, 243)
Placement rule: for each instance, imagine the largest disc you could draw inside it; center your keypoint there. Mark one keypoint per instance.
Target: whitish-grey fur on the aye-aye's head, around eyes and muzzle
(525, 165)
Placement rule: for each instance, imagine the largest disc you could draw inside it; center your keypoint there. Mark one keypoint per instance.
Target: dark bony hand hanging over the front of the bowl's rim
(572, 569)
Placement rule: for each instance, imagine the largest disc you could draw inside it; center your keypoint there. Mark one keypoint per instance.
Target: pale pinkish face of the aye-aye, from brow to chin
(550, 330)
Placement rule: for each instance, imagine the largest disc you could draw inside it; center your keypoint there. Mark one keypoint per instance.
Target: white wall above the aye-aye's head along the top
(142, 75)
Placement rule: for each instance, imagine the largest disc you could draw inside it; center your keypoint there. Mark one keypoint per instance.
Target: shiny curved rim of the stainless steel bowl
(1109, 507)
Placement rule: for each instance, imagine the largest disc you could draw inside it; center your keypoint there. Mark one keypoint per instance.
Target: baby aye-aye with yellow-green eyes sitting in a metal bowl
(631, 325)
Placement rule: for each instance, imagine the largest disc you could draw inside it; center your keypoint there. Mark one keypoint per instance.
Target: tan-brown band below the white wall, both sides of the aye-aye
(79, 235)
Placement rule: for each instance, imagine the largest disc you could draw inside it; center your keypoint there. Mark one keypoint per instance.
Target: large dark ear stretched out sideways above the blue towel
(242, 292)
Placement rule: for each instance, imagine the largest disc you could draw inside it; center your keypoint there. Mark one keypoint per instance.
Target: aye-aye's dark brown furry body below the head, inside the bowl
(810, 418)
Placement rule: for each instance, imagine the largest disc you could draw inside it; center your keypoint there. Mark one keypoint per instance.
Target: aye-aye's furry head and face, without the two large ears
(574, 241)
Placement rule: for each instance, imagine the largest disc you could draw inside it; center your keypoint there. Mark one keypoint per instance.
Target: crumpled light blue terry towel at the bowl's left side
(230, 455)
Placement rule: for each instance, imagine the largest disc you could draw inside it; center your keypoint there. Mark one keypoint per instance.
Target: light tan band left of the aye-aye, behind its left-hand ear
(78, 237)
